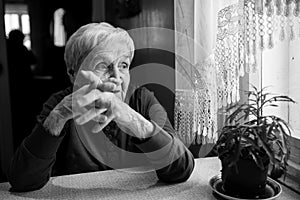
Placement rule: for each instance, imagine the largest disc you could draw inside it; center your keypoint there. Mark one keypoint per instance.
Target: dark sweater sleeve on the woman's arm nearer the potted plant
(172, 160)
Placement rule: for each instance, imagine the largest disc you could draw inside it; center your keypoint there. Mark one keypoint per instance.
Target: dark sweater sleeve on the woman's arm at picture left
(31, 165)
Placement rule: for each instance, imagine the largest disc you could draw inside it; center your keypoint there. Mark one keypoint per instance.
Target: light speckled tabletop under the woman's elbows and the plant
(116, 184)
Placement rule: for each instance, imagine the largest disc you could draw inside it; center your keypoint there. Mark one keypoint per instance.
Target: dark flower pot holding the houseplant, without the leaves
(245, 179)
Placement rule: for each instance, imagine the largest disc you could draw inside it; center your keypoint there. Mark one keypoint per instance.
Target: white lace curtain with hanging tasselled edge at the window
(222, 41)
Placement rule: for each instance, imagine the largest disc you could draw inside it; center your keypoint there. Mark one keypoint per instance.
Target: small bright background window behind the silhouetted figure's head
(16, 17)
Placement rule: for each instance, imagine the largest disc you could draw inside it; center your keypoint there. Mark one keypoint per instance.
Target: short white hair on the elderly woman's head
(89, 36)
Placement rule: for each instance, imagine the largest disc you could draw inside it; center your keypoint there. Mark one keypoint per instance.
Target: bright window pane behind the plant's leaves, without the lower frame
(280, 70)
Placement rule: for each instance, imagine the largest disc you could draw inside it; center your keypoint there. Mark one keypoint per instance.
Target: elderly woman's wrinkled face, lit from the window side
(113, 66)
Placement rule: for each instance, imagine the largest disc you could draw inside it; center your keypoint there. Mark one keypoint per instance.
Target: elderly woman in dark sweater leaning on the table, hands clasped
(99, 123)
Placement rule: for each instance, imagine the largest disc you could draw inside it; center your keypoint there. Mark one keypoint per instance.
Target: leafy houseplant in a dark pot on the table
(250, 142)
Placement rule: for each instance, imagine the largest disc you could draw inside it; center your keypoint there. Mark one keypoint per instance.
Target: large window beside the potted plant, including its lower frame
(280, 70)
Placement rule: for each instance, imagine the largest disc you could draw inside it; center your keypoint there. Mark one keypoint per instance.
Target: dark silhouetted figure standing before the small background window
(20, 60)
